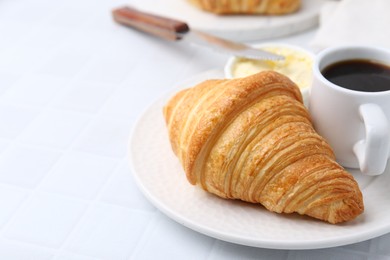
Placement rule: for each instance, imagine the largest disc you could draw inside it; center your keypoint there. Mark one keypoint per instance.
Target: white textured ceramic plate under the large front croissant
(161, 178)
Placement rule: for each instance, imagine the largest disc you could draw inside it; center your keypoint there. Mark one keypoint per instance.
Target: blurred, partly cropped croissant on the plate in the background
(273, 7)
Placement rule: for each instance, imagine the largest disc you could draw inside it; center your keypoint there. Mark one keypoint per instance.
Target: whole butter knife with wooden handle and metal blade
(175, 30)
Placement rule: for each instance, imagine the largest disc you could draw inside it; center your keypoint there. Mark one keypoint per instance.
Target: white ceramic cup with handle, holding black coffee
(355, 123)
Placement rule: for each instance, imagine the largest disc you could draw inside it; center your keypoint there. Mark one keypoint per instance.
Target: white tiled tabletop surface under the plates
(72, 84)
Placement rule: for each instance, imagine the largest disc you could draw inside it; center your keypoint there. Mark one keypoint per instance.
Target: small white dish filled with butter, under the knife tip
(297, 65)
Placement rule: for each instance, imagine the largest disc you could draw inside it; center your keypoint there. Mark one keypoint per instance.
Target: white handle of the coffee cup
(372, 152)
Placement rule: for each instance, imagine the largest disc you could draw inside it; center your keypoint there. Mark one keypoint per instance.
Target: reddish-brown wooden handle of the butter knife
(153, 24)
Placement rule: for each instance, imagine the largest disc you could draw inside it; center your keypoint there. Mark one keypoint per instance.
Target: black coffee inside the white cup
(360, 75)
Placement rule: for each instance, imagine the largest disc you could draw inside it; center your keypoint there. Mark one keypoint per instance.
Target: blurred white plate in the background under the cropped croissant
(238, 27)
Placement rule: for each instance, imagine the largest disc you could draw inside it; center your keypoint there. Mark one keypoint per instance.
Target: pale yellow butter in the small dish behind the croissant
(297, 65)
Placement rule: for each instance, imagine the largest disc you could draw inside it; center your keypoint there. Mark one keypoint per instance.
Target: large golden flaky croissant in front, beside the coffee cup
(252, 139)
